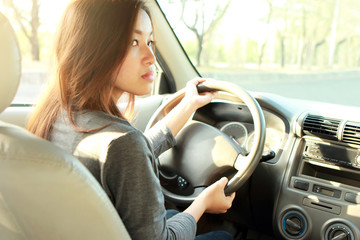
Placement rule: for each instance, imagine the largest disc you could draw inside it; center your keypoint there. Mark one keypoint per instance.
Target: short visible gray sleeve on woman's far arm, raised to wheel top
(160, 138)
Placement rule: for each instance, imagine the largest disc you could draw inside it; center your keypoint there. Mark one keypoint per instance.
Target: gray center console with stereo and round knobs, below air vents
(320, 196)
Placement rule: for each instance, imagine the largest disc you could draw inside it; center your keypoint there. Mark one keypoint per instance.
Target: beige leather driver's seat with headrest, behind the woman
(45, 193)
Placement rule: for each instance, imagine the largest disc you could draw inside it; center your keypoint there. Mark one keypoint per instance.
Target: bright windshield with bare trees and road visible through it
(294, 48)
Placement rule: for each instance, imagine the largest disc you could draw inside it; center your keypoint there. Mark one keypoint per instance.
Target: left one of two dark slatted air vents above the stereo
(321, 126)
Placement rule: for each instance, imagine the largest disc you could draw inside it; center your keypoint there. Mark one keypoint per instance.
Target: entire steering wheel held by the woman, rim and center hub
(203, 153)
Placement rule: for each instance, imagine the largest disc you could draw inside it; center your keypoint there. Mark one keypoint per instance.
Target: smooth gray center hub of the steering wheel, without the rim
(202, 154)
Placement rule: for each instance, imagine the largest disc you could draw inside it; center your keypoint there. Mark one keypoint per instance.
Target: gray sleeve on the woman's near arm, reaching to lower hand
(136, 192)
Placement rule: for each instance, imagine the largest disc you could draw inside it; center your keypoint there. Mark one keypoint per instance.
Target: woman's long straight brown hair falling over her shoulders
(91, 43)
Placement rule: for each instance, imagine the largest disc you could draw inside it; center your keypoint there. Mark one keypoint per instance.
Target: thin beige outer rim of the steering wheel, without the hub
(244, 165)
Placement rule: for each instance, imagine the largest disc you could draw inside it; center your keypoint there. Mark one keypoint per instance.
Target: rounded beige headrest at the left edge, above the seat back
(10, 63)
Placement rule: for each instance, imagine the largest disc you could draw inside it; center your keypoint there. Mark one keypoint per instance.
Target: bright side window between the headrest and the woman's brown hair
(34, 23)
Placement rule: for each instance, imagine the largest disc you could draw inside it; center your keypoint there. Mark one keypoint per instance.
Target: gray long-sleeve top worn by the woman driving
(124, 161)
